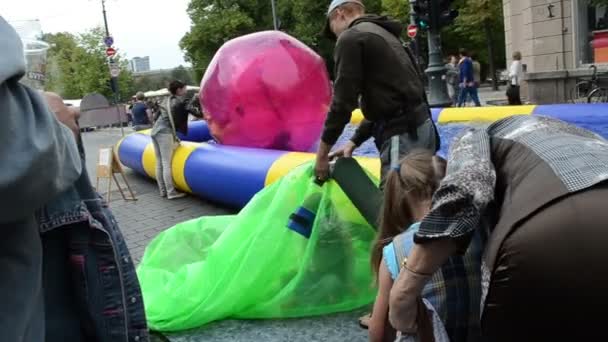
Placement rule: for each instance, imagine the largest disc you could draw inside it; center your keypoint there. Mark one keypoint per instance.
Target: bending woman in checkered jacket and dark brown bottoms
(541, 183)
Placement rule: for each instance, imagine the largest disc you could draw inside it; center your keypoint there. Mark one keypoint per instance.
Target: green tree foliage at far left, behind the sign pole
(78, 66)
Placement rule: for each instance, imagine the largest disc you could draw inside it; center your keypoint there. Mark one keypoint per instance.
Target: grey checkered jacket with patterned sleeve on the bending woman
(579, 158)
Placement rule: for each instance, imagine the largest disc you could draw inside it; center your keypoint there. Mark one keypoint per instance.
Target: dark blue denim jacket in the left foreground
(80, 232)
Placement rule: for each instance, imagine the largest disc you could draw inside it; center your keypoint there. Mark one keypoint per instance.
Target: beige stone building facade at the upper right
(559, 41)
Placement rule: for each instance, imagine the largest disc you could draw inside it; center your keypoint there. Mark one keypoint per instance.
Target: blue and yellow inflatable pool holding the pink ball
(232, 175)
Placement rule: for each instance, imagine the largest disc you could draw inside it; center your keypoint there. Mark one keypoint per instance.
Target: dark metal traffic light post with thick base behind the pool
(436, 71)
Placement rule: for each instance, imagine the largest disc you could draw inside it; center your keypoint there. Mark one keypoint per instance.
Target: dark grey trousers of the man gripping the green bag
(399, 146)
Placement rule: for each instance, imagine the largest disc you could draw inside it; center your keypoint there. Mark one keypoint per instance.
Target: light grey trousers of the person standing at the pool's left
(164, 146)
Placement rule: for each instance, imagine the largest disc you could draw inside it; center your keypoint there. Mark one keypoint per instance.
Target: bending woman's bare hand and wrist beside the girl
(403, 305)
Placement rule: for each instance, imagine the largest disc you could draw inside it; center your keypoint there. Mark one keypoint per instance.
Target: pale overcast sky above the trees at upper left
(139, 27)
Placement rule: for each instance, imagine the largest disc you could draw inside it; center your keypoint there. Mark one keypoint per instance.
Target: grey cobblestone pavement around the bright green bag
(142, 220)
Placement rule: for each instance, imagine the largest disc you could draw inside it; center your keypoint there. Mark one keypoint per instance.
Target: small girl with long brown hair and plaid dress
(454, 290)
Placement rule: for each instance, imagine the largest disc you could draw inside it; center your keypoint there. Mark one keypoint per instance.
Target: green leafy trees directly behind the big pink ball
(216, 21)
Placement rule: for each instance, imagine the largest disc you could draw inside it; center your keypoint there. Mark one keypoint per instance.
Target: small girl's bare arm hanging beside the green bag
(379, 319)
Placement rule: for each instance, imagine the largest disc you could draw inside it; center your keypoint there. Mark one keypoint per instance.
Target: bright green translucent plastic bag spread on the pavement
(252, 265)
